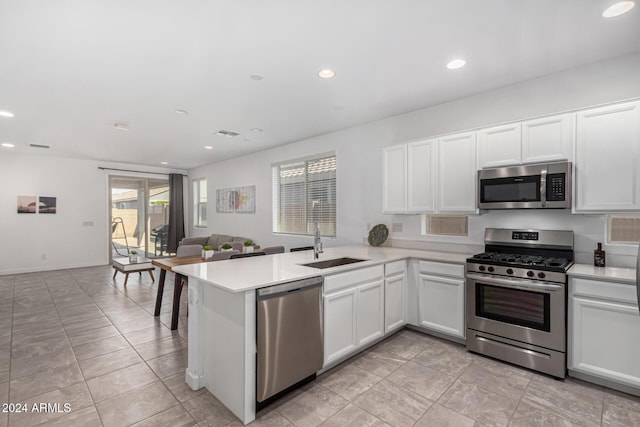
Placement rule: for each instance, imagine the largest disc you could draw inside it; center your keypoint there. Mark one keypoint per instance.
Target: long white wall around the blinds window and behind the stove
(359, 157)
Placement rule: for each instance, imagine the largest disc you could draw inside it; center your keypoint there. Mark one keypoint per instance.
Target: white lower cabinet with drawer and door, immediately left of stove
(441, 298)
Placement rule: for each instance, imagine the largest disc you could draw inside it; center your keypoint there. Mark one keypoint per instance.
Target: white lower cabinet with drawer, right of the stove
(604, 331)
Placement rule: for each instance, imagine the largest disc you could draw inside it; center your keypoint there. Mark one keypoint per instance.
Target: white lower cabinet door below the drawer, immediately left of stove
(441, 304)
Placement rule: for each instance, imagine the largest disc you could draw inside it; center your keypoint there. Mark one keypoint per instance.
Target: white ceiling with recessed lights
(70, 69)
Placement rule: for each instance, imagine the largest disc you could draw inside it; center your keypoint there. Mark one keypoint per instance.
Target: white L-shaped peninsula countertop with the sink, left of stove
(243, 274)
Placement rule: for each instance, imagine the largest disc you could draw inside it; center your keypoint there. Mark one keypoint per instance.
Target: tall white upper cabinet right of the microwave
(608, 159)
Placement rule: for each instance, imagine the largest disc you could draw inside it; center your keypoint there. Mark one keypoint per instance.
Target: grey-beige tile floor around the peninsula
(76, 337)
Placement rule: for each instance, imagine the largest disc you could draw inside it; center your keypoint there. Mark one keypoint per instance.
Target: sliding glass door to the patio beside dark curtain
(139, 216)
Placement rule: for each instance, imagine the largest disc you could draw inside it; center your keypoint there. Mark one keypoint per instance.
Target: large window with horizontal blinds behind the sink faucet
(304, 192)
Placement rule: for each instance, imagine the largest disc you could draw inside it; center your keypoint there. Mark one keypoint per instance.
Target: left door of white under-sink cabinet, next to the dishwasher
(339, 324)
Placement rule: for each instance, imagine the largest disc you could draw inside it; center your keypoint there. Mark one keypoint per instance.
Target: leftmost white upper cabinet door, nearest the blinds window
(394, 185)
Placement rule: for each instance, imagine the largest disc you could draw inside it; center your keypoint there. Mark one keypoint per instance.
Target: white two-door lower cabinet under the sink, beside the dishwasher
(353, 311)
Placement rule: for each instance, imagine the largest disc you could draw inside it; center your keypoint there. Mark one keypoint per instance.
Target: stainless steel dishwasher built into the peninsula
(289, 335)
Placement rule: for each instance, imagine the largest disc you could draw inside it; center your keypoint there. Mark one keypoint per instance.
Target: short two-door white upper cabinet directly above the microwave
(532, 141)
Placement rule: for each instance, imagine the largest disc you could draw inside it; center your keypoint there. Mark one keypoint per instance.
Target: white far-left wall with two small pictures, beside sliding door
(65, 239)
